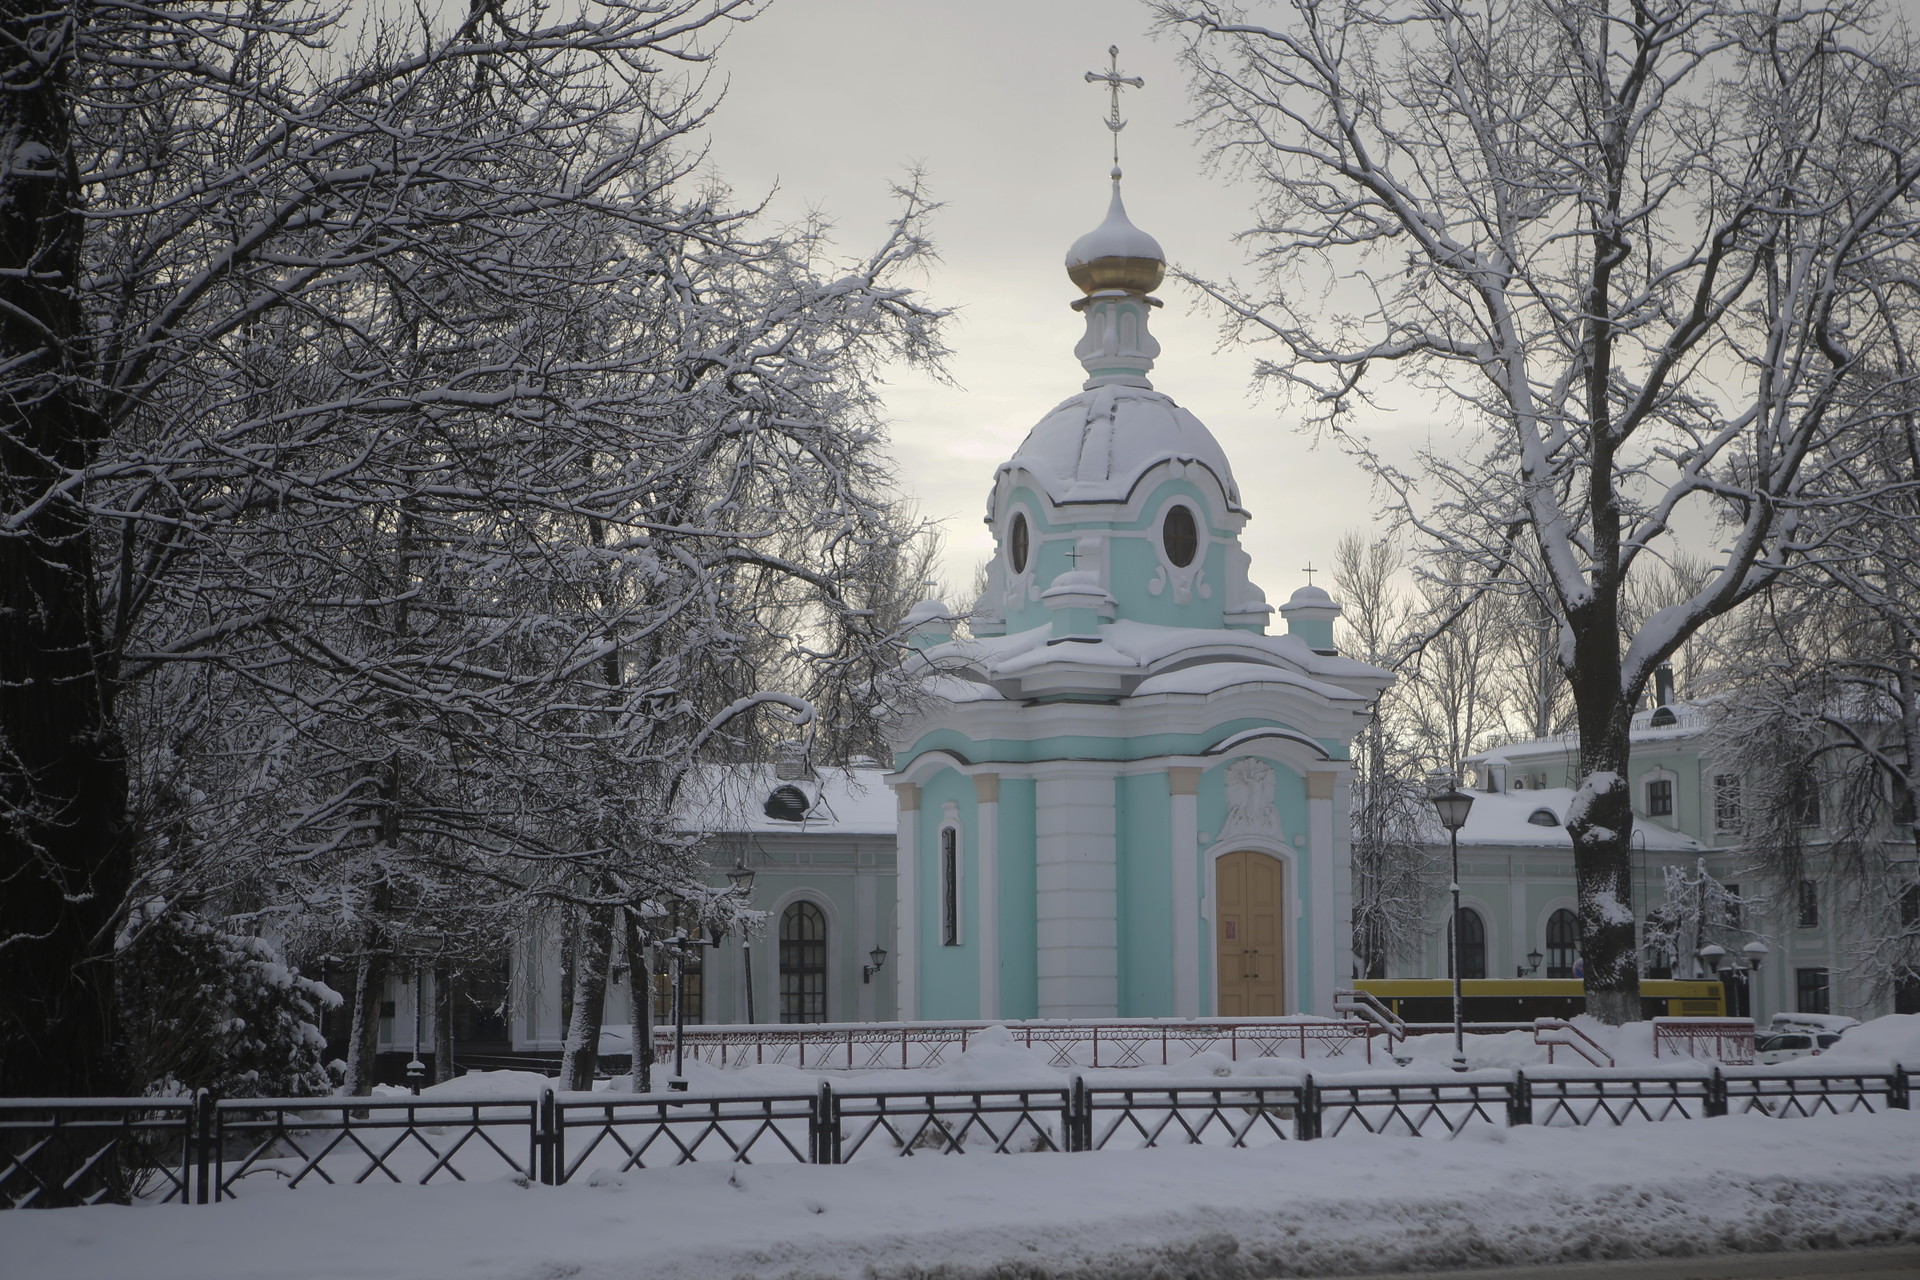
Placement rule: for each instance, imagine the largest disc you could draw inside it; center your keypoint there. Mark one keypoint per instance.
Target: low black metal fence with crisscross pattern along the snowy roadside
(201, 1150)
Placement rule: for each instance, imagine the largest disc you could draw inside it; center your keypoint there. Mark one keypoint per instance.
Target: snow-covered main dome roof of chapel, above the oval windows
(1097, 446)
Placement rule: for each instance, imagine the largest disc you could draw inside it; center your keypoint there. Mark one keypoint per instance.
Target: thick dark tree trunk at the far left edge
(66, 857)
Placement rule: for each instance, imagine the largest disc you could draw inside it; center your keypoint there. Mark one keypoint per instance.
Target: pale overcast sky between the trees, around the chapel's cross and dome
(834, 99)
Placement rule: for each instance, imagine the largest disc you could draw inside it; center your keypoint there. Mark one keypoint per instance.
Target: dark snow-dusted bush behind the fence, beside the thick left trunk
(206, 1008)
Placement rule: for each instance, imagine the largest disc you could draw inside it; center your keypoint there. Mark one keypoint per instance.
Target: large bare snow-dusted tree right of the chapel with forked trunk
(1639, 247)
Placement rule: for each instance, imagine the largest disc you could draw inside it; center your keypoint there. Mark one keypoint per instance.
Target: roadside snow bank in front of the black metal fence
(1339, 1206)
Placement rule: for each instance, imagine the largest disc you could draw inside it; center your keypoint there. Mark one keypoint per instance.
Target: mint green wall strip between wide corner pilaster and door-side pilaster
(1145, 832)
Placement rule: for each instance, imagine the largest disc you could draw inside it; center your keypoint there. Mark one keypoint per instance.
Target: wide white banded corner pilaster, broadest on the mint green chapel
(1078, 897)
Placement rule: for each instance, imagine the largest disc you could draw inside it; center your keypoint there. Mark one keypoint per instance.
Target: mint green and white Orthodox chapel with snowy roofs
(1124, 797)
